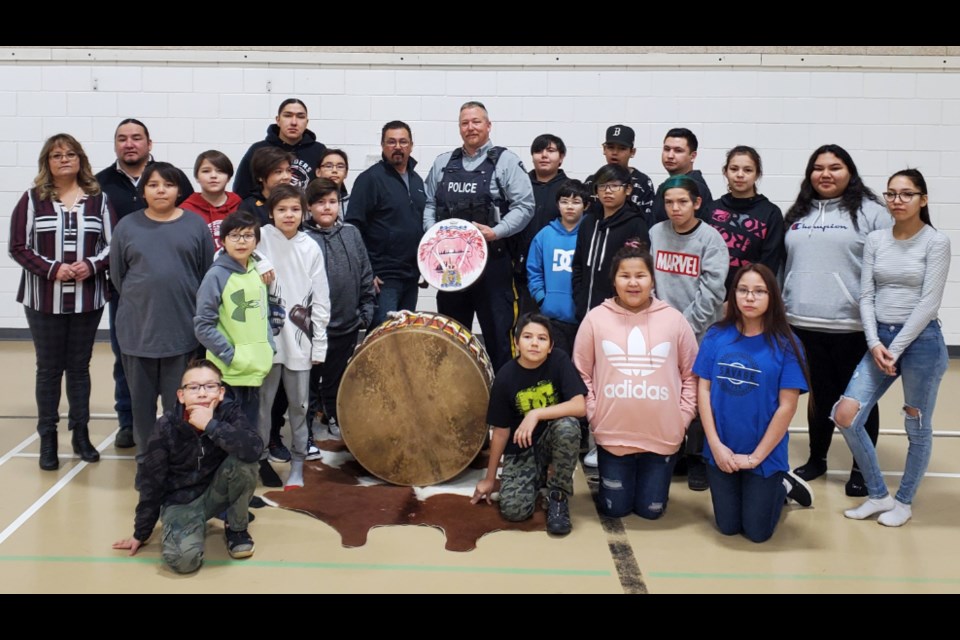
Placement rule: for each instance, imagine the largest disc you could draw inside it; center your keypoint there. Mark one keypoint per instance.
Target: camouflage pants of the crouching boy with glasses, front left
(185, 525)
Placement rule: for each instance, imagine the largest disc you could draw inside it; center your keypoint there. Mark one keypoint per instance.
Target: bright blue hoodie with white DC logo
(550, 270)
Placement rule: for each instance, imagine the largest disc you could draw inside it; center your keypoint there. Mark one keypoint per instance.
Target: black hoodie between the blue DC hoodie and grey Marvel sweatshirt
(597, 241)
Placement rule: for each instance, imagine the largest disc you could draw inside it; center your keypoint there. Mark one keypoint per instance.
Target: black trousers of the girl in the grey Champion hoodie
(832, 359)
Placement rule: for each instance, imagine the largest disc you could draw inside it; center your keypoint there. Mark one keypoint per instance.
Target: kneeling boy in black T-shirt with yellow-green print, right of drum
(534, 405)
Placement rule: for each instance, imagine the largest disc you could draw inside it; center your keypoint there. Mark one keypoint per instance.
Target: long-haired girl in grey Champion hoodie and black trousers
(826, 229)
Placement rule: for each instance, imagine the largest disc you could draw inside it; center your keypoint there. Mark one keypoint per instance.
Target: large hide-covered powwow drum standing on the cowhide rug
(412, 406)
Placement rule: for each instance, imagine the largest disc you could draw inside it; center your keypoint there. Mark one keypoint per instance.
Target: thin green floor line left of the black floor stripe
(354, 566)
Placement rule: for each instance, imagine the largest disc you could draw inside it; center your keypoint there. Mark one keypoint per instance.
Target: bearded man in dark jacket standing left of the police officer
(387, 206)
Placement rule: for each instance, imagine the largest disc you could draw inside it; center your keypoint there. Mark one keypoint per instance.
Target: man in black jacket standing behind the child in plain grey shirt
(120, 181)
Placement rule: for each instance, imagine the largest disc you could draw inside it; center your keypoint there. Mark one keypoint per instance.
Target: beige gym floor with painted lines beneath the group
(56, 528)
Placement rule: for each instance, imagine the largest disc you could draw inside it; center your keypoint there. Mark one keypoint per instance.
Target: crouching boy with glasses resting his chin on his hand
(202, 459)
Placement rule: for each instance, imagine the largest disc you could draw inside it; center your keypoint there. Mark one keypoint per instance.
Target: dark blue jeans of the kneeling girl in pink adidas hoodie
(637, 482)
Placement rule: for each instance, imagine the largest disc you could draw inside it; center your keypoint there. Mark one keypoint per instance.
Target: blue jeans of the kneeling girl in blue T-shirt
(745, 502)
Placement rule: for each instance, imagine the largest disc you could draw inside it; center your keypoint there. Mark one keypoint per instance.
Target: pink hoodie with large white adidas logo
(638, 368)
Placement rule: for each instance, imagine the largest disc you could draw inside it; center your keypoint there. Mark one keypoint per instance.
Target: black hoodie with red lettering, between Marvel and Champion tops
(753, 230)
